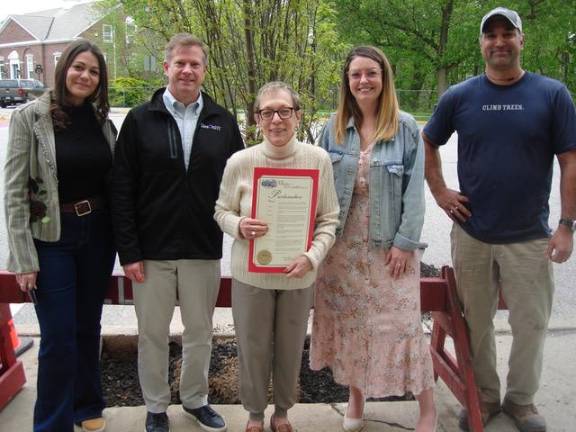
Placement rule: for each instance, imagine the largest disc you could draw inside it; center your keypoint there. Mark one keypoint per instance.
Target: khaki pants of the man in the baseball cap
(523, 273)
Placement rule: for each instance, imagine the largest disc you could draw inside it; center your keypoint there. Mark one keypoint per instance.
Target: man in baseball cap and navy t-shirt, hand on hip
(511, 124)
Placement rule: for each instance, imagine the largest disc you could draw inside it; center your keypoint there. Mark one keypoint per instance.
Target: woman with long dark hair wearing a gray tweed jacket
(60, 149)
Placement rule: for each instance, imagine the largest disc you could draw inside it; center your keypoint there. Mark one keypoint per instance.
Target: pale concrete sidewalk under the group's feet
(555, 401)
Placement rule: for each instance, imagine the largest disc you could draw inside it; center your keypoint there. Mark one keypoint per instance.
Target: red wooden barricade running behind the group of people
(438, 295)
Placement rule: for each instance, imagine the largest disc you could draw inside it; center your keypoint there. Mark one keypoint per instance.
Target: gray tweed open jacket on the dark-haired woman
(31, 155)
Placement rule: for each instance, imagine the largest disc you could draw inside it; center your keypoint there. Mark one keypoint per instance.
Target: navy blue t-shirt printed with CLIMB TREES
(507, 139)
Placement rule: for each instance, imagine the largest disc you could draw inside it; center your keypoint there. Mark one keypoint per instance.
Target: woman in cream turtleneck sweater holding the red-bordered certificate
(271, 307)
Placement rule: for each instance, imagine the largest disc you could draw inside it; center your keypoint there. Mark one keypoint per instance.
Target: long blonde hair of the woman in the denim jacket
(388, 108)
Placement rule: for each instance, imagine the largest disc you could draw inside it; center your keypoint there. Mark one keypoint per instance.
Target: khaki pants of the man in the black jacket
(194, 284)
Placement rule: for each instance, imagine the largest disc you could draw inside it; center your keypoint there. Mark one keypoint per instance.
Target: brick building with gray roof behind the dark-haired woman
(31, 44)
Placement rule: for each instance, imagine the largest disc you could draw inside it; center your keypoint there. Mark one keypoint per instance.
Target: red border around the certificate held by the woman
(282, 172)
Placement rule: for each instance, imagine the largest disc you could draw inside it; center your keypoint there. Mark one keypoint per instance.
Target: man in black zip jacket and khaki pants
(170, 157)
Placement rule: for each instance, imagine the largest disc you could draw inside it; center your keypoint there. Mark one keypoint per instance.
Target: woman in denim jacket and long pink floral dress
(367, 306)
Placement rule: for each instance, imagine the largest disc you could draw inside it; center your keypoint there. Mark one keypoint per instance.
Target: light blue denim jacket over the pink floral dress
(396, 191)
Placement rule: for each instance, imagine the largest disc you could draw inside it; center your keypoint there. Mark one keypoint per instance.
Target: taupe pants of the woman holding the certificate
(270, 328)
